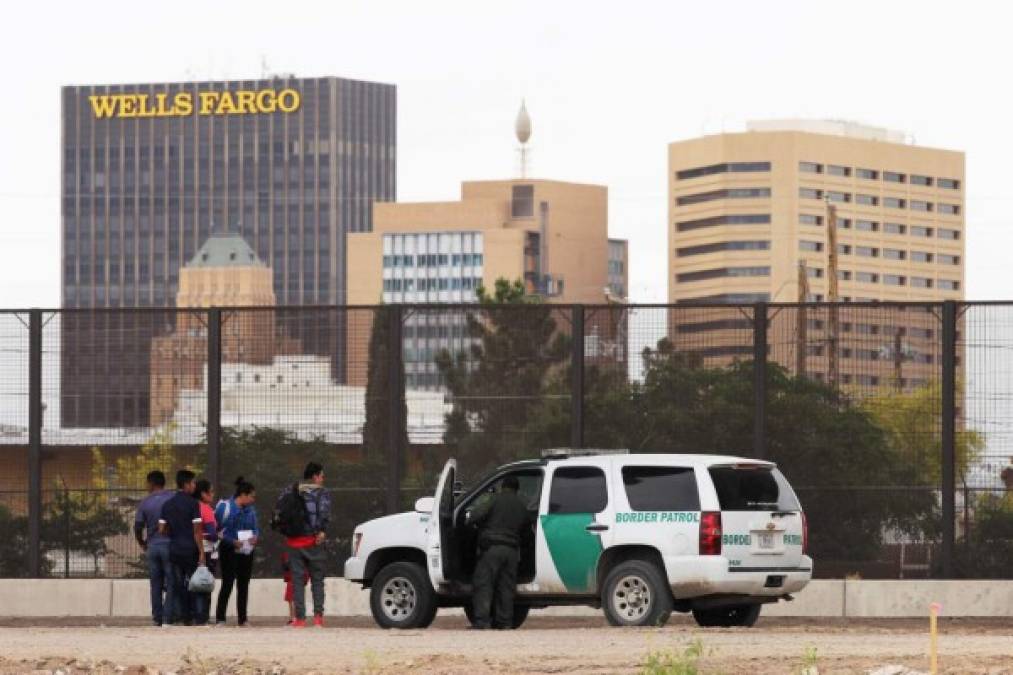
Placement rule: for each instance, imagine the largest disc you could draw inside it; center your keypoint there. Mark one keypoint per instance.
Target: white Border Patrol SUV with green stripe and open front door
(640, 536)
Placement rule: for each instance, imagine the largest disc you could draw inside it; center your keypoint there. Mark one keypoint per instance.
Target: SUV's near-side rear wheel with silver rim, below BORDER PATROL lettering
(637, 593)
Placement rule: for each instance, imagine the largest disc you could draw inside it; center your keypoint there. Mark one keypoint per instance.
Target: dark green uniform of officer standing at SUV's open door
(503, 519)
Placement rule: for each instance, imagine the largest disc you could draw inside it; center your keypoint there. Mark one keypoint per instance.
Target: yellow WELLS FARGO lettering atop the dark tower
(184, 104)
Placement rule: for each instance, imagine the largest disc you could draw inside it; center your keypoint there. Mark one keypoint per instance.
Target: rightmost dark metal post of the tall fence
(949, 473)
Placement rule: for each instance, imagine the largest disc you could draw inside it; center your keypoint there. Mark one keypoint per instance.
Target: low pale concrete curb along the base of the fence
(122, 598)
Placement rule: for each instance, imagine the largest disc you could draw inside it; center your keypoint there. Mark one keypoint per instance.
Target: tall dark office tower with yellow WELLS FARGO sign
(149, 171)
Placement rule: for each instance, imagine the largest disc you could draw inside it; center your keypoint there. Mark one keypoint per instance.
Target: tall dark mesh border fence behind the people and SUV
(893, 421)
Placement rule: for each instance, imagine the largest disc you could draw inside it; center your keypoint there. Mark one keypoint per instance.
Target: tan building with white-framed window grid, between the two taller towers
(554, 236)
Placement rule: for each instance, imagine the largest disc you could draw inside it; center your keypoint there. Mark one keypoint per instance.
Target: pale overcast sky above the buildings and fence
(608, 87)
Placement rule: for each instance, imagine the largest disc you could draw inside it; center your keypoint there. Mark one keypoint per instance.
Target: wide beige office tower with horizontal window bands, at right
(748, 210)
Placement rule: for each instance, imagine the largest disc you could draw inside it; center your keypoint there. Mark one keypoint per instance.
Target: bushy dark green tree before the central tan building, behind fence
(500, 384)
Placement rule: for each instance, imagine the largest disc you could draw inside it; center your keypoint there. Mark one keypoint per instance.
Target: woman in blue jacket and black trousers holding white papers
(239, 534)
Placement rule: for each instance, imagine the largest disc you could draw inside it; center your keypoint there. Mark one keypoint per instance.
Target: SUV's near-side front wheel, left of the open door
(403, 597)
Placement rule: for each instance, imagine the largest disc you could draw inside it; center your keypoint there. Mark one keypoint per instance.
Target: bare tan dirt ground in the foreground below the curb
(543, 646)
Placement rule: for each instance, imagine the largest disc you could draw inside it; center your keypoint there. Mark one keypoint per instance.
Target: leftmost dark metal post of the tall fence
(35, 443)
